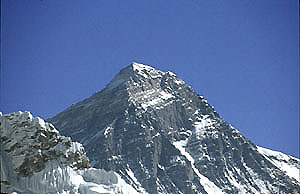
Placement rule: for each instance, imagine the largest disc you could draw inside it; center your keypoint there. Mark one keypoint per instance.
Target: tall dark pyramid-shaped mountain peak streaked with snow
(153, 124)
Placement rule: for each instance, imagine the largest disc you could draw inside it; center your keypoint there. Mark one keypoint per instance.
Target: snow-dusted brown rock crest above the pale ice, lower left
(30, 142)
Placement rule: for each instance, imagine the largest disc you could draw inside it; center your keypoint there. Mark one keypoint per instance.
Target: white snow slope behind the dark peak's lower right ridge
(282, 162)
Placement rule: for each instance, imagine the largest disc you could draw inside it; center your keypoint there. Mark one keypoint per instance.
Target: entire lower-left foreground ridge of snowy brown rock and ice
(36, 159)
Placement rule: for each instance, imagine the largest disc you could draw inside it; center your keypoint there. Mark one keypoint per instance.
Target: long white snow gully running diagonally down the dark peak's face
(208, 186)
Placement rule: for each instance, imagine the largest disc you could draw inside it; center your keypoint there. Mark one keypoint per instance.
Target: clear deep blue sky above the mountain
(241, 55)
